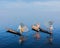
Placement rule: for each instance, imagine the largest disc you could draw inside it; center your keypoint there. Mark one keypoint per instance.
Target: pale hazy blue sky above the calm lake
(25, 6)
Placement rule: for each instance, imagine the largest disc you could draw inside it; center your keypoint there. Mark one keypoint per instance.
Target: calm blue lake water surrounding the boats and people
(8, 40)
